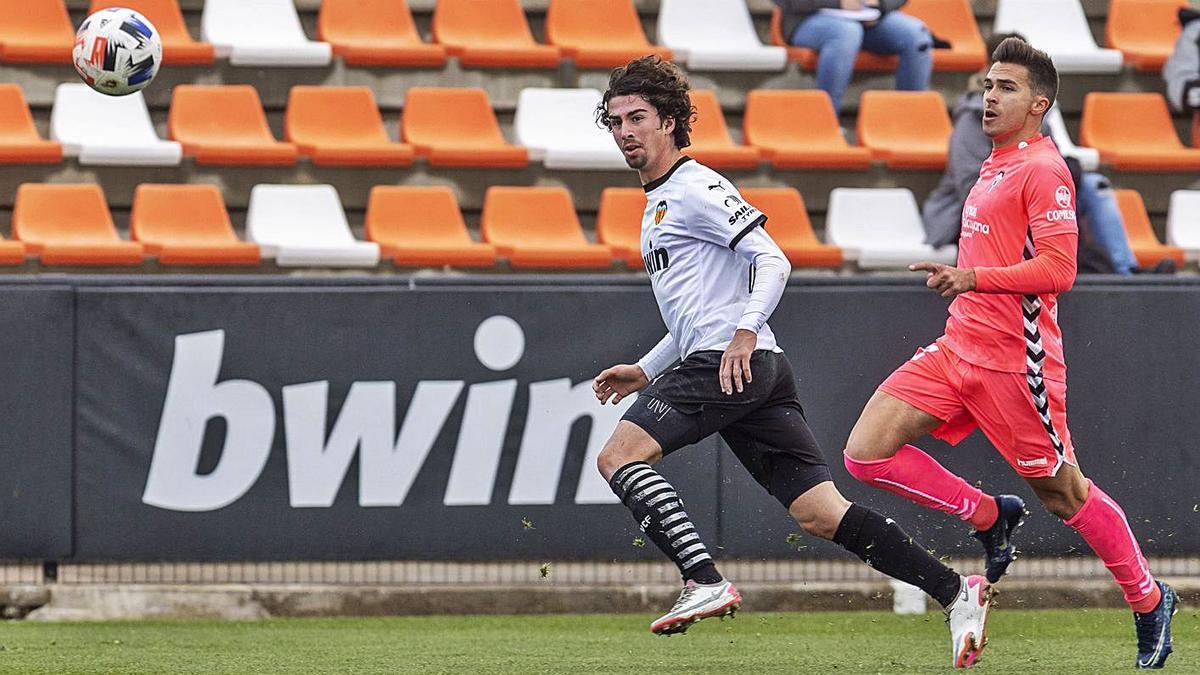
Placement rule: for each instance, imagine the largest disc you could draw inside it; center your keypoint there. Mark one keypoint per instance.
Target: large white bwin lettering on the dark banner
(389, 462)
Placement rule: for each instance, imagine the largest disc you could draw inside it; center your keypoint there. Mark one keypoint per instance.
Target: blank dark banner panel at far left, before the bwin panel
(35, 437)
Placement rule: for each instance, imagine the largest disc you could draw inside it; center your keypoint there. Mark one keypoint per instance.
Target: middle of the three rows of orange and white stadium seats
(344, 127)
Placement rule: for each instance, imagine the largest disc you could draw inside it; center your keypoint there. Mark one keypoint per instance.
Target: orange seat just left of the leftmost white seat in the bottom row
(188, 225)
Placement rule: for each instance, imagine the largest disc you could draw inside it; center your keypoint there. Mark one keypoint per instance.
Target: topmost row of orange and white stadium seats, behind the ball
(496, 34)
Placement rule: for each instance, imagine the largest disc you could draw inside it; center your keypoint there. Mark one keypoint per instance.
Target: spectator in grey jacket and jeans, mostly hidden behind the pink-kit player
(1100, 218)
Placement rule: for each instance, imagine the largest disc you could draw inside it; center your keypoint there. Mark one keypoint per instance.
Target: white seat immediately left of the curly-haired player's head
(559, 128)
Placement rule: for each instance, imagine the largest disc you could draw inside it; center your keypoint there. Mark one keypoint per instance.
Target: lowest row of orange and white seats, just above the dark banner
(307, 226)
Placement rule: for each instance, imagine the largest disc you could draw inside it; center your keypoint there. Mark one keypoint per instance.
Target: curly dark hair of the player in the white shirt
(663, 85)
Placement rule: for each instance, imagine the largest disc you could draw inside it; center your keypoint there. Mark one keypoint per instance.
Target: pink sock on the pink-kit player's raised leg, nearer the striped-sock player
(919, 477)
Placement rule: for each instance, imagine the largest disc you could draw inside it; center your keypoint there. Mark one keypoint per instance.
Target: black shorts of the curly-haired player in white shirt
(764, 425)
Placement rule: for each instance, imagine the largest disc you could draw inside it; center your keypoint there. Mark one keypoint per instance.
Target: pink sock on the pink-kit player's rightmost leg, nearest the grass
(1105, 527)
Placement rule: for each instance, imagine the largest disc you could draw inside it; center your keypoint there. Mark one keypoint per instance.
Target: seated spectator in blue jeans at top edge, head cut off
(839, 29)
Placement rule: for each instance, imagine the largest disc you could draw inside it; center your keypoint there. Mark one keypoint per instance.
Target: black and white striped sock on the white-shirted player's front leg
(659, 512)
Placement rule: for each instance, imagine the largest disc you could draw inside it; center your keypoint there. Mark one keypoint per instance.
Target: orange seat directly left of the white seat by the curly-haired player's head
(457, 128)
